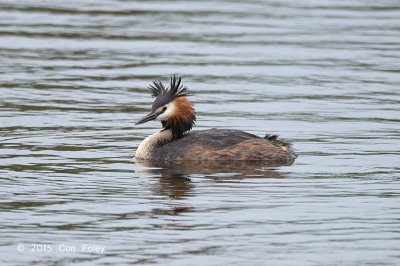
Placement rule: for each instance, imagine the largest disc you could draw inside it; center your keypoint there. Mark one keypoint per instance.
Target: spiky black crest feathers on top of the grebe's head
(165, 95)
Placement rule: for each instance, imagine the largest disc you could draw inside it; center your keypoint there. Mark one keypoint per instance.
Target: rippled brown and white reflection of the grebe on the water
(175, 181)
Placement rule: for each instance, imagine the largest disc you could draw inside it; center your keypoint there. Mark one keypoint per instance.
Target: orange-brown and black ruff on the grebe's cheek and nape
(182, 119)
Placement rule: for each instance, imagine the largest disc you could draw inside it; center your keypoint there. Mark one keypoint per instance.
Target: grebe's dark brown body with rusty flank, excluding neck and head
(225, 144)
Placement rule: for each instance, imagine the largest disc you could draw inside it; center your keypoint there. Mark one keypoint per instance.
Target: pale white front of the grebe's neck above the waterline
(148, 144)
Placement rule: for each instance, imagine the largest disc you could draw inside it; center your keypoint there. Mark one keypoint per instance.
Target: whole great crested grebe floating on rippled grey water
(175, 143)
